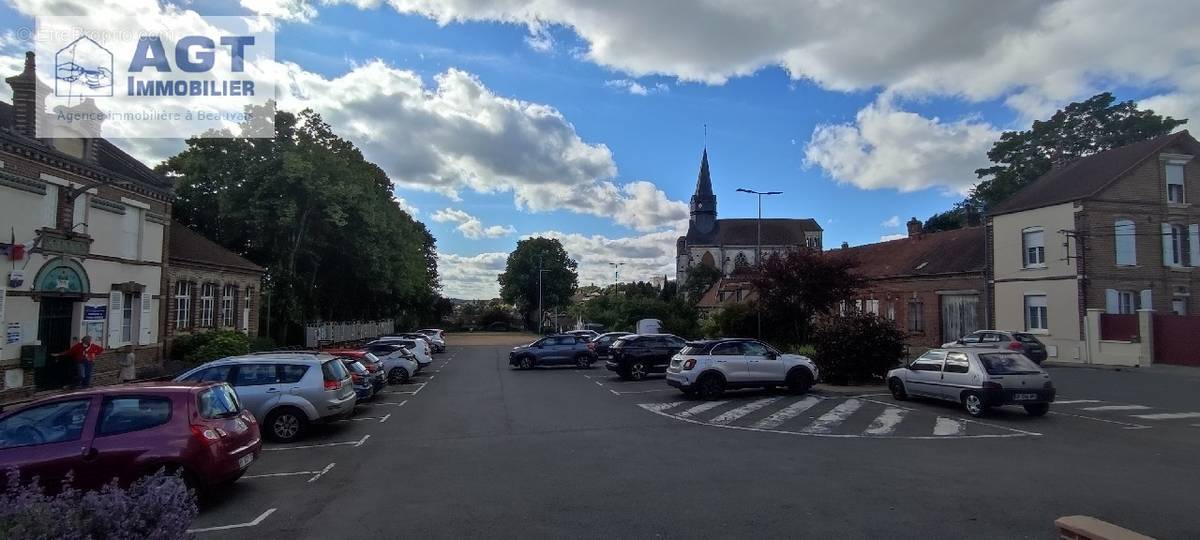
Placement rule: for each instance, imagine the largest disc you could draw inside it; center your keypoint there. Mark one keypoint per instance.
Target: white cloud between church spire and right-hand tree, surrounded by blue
(887, 148)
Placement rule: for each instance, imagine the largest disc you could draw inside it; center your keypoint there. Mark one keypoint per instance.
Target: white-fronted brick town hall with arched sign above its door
(85, 249)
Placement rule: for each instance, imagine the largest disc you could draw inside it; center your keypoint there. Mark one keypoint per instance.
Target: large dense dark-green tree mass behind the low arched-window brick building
(320, 218)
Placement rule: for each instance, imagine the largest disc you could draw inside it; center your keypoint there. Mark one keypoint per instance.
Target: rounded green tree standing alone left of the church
(519, 284)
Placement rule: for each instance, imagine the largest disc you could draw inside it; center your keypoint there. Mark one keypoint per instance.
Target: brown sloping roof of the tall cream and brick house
(1088, 176)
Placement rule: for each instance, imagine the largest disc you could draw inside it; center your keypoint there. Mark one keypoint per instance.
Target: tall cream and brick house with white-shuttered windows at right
(1117, 232)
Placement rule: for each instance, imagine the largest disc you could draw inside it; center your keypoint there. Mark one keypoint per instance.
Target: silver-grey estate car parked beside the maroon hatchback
(289, 391)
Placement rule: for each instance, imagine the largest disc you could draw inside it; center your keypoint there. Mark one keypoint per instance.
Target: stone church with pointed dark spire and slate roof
(730, 244)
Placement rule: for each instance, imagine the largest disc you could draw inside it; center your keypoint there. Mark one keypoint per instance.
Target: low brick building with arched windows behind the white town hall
(211, 287)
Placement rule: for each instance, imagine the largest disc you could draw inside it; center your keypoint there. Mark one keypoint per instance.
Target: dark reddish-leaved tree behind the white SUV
(795, 287)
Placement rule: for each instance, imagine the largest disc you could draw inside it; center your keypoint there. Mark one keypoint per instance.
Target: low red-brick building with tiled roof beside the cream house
(932, 285)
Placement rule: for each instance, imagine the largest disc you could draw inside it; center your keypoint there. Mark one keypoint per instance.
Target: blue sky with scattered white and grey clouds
(585, 119)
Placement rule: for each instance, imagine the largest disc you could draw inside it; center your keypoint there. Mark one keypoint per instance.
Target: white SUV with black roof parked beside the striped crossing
(706, 369)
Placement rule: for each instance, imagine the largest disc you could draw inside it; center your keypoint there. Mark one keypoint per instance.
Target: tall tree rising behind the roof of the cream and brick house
(1078, 130)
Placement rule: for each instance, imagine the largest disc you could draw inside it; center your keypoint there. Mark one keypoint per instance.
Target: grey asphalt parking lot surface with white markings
(475, 449)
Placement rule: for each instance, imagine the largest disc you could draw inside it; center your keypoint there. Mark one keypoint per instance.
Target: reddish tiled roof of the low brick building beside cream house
(959, 251)
